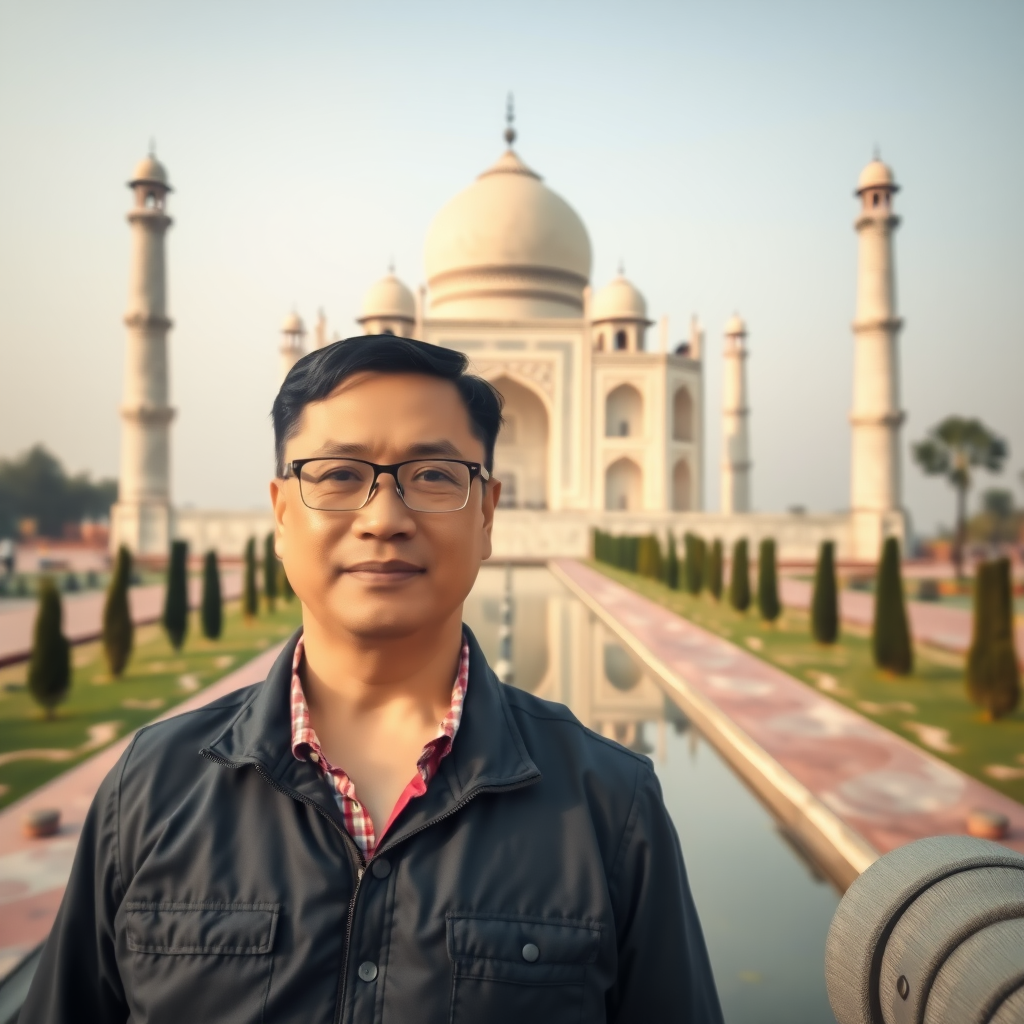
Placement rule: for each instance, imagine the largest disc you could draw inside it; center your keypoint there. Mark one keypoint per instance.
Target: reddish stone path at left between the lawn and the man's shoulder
(34, 873)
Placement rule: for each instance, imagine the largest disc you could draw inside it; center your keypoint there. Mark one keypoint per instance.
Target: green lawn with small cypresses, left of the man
(99, 710)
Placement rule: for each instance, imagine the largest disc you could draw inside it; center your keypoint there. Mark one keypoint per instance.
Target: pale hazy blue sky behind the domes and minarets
(713, 147)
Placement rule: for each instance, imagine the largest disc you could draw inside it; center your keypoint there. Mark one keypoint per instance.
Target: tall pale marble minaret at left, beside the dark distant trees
(143, 520)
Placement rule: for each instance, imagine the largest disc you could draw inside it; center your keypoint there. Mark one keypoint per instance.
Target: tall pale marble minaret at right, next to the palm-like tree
(876, 499)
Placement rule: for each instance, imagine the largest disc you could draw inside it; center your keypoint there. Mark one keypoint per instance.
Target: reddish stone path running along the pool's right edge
(881, 786)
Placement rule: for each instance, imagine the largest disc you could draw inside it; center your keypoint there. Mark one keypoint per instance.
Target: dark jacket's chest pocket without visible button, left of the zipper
(199, 962)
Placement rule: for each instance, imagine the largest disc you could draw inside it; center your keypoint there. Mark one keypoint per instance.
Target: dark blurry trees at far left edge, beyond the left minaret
(35, 486)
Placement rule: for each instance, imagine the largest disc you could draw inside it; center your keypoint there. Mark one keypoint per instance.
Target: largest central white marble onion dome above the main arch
(507, 248)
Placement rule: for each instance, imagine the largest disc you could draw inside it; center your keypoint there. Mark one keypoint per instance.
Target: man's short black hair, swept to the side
(319, 373)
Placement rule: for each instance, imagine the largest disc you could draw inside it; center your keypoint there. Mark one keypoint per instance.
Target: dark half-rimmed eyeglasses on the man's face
(347, 485)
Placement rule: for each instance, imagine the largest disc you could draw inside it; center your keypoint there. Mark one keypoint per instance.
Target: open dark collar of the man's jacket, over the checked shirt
(489, 753)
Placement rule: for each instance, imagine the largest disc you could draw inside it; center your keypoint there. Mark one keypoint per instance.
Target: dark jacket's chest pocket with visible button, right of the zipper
(506, 969)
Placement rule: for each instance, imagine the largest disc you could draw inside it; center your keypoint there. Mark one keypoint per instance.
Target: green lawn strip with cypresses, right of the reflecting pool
(929, 708)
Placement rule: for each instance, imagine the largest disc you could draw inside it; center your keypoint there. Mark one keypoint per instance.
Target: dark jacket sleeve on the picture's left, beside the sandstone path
(78, 977)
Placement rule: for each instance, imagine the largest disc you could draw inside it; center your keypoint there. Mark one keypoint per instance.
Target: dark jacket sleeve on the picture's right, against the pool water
(664, 970)
